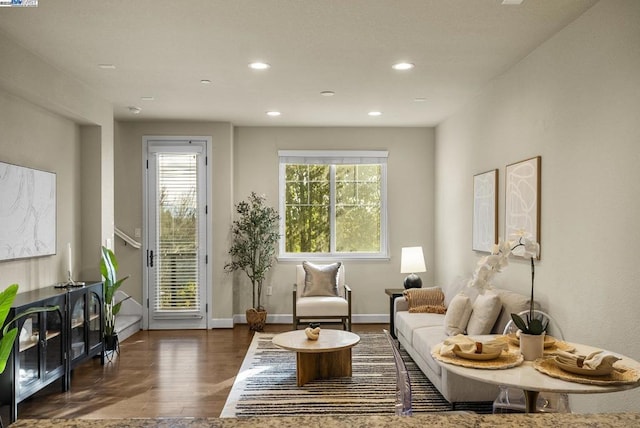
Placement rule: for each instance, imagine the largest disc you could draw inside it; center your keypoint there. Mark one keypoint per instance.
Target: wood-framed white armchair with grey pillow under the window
(321, 295)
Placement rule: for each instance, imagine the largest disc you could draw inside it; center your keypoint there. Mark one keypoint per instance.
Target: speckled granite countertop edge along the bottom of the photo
(434, 420)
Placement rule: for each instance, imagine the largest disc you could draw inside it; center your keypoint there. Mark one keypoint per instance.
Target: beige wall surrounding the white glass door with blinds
(129, 204)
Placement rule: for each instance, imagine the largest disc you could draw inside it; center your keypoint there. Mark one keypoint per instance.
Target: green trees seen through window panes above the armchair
(333, 208)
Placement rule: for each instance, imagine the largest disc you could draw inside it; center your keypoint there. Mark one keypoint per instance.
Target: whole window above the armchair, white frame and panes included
(333, 203)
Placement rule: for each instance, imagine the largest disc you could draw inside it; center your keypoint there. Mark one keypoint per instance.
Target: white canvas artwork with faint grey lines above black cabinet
(27, 212)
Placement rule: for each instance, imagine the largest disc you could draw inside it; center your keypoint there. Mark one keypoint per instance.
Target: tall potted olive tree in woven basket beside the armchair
(253, 249)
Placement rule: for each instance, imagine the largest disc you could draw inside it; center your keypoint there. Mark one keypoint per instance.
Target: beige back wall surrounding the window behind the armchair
(410, 196)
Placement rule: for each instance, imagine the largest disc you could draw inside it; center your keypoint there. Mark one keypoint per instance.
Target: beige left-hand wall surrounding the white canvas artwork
(46, 121)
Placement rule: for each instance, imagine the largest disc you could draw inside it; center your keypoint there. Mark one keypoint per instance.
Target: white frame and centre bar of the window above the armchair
(333, 157)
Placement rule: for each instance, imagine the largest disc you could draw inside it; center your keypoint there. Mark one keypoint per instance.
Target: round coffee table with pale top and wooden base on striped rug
(327, 357)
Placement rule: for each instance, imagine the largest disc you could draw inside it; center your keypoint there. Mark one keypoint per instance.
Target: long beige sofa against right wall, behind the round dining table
(418, 333)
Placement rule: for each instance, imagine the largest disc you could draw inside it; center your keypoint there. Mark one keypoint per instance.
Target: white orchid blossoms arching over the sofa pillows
(498, 260)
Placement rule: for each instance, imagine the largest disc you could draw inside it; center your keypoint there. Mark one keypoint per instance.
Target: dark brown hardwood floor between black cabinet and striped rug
(175, 373)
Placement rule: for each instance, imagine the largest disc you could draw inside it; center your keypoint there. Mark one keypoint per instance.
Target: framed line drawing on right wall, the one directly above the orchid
(522, 198)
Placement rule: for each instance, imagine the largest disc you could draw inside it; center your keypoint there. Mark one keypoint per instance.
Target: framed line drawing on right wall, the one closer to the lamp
(485, 211)
